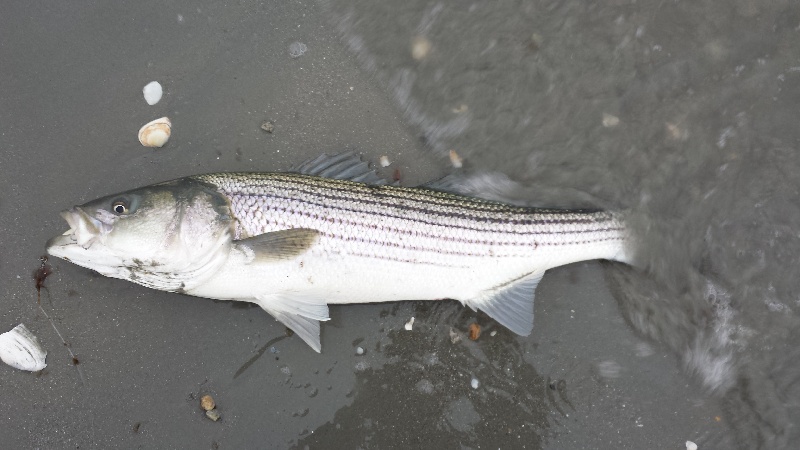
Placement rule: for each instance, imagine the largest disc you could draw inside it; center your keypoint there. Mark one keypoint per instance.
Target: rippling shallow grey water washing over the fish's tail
(681, 113)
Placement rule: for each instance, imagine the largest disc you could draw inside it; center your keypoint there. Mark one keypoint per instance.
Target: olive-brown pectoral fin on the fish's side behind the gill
(275, 245)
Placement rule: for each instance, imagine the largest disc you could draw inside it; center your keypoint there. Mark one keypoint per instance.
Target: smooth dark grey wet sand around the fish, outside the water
(72, 77)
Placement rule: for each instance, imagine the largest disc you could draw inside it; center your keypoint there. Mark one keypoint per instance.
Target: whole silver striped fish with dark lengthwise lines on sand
(334, 232)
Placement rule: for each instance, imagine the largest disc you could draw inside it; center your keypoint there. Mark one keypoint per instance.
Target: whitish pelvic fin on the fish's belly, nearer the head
(301, 315)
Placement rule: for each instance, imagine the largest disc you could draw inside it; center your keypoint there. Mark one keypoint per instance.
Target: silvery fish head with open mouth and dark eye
(168, 236)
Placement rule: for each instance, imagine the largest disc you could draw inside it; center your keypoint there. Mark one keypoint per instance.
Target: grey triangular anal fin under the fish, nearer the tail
(511, 304)
